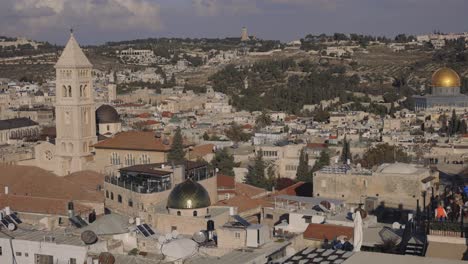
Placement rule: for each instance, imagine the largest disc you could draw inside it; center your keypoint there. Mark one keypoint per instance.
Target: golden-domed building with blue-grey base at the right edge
(445, 92)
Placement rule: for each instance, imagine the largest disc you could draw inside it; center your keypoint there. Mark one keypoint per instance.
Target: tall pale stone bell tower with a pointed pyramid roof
(74, 110)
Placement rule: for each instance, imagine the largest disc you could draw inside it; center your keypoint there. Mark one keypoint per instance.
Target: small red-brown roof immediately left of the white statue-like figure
(326, 231)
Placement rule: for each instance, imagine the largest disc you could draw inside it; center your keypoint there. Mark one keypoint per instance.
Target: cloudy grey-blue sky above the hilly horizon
(98, 21)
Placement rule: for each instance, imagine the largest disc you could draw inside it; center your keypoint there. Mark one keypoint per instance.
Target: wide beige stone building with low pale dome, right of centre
(393, 184)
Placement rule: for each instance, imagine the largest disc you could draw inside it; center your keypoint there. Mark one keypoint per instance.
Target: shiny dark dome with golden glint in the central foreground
(188, 195)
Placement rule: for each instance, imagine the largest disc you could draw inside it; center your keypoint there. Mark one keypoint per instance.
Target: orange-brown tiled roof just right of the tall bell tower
(135, 140)
